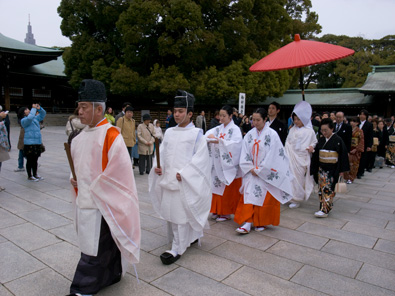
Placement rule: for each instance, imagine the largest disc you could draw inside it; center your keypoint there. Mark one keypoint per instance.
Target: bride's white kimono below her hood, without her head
(297, 141)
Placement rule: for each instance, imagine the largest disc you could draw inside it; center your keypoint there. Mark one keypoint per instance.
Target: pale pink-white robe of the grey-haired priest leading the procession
(110, 193)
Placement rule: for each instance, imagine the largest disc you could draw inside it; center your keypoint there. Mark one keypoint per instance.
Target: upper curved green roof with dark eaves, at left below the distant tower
(22, 54)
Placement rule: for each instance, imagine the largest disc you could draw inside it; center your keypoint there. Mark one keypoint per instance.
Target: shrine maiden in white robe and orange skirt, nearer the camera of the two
(266, 177)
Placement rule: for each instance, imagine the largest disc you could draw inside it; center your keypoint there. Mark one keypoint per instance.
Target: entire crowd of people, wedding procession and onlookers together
(235, 166)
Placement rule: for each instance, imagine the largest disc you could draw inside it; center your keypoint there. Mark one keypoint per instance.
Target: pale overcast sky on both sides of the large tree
(370, 19)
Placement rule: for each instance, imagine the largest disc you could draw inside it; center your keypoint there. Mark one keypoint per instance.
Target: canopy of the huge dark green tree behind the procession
(150, 48)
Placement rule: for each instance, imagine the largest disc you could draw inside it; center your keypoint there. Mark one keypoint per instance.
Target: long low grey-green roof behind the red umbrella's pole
(323, 97)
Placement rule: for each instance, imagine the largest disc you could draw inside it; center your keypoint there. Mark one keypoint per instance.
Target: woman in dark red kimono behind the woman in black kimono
(357, 147)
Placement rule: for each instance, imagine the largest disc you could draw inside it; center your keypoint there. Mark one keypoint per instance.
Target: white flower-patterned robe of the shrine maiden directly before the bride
(264, 152)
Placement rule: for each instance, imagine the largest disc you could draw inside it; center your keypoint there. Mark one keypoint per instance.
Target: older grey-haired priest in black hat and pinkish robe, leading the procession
(105, 197)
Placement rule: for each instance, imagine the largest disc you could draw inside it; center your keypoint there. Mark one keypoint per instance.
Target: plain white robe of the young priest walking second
(184, 204)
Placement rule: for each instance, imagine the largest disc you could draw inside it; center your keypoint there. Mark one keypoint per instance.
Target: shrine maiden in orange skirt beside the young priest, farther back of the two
(224, 144)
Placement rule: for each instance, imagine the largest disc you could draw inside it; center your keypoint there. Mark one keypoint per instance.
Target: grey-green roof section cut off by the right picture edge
(380, 80)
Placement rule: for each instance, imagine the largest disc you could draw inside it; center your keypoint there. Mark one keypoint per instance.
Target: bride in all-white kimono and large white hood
(299, 146)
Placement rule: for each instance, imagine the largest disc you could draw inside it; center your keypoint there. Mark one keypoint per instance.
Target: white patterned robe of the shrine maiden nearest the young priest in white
(224, 156)
